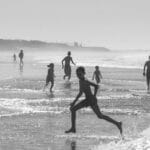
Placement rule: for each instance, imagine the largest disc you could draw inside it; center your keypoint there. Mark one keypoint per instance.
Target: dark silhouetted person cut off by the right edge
(147, 68)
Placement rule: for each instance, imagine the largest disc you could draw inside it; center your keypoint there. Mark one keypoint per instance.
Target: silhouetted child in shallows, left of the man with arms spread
(50, 76)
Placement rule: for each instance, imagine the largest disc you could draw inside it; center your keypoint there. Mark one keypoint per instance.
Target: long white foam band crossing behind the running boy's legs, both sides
(21, 106)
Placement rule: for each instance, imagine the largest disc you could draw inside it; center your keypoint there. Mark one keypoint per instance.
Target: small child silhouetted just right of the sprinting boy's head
(97, 75)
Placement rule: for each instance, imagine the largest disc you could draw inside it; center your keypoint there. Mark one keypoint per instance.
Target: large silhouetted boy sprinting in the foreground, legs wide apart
(90, 100)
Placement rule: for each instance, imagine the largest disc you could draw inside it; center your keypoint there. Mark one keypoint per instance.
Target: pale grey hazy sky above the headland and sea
(115, 24)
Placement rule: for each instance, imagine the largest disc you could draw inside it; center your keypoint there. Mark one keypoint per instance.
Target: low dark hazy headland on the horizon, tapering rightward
(8, 44)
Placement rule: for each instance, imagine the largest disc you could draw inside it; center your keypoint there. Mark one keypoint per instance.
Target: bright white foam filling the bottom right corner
(140, 143)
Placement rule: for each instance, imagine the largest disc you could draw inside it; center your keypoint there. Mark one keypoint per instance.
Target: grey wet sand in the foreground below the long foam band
(46, 131)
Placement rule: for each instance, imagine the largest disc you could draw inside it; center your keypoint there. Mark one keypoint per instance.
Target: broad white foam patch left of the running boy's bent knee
(22, 106)
